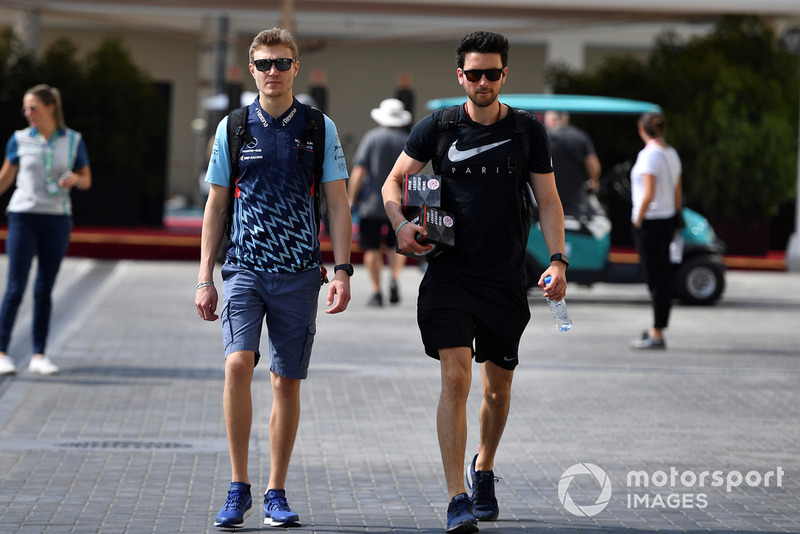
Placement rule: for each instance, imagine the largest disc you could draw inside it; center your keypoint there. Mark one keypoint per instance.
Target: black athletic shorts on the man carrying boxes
(489, 320)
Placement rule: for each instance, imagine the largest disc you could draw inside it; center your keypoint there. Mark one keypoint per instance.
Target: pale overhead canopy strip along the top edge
(383, 20)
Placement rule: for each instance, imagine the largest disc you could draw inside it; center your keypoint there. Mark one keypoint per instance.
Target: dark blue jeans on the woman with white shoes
(29, 235)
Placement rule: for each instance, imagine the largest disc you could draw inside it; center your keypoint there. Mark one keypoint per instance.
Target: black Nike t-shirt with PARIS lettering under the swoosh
(481, 188)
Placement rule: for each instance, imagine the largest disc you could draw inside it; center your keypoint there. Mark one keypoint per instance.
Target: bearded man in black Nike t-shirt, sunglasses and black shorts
(472, 300)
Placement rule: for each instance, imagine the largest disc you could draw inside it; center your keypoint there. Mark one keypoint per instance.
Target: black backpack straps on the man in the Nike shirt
(445, 131)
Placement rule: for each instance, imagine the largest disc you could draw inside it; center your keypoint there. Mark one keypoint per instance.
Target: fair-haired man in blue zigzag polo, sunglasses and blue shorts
(272, 267)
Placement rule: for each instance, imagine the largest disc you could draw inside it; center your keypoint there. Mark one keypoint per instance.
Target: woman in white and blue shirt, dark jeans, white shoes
(46, 160)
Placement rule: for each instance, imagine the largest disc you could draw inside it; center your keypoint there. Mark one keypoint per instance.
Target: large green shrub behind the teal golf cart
(731, 102)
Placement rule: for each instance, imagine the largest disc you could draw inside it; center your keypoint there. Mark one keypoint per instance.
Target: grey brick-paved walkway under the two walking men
(130, 436)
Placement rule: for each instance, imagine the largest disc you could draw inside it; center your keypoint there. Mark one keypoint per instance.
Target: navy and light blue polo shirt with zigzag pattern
(274, 221)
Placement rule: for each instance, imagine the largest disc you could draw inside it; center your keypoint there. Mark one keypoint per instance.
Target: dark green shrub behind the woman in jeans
(119, 111)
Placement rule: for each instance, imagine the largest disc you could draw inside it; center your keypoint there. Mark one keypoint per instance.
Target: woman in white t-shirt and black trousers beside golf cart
(656, 195)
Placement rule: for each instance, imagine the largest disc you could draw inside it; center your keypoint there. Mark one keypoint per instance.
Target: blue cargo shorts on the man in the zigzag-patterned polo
(289, 303)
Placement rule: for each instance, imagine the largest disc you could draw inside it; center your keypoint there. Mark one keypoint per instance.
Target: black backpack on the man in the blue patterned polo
(238, 136)
